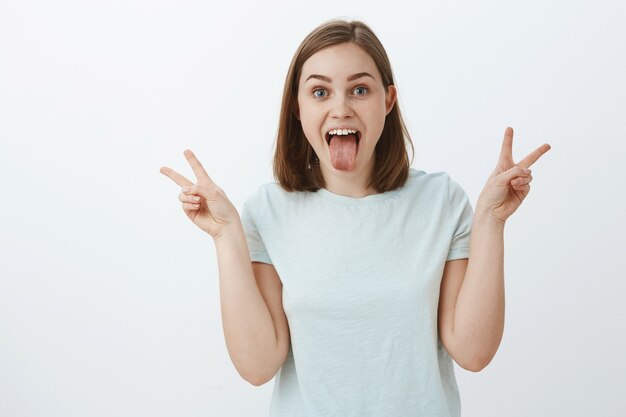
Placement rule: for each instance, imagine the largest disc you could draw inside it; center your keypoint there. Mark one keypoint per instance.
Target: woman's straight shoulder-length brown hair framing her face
(296, 167)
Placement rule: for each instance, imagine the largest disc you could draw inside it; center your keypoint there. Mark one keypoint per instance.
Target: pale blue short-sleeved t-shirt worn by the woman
(361, 280)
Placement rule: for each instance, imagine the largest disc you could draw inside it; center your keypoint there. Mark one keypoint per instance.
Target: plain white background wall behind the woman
(109, 302)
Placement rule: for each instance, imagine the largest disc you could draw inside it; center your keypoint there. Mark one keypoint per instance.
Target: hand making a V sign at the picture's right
(509, 184)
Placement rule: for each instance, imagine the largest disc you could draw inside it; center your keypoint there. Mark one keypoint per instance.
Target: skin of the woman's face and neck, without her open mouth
(360, 104)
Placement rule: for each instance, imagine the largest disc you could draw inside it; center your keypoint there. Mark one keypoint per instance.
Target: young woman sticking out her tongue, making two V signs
(354, 278)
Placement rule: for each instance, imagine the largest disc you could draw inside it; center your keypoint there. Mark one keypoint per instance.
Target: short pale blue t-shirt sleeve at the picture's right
(461, 216)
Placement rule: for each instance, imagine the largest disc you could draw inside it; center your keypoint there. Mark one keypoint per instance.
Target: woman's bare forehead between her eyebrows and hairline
(339, 62)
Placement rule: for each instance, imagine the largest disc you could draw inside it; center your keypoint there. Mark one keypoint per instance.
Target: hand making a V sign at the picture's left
(212, 212)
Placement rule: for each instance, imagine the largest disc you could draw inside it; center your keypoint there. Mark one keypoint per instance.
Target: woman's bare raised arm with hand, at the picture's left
(255, 326)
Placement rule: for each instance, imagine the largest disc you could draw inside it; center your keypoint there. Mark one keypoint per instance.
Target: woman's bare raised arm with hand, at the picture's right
(471, 304)
